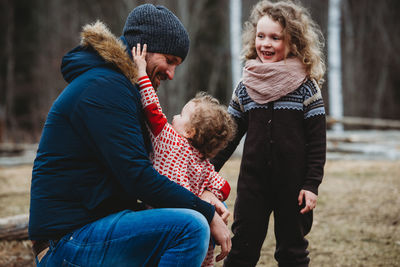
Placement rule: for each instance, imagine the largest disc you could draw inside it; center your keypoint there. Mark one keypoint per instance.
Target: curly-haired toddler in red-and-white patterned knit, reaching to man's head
(181, 150)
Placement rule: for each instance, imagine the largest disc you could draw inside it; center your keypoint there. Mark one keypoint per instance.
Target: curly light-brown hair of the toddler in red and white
(214, 126)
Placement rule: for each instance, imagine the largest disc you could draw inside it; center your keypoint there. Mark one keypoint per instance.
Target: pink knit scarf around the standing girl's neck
(267, 82)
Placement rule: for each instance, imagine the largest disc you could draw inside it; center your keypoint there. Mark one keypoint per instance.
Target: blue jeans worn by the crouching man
(156, 237)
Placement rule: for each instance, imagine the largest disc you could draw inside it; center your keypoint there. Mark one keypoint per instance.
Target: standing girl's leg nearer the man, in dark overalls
(251, 216)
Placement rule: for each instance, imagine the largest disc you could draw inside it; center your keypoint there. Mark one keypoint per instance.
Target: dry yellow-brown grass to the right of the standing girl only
(357, 222)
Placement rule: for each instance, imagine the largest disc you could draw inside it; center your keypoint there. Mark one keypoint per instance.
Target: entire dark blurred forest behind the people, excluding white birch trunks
(37, 33)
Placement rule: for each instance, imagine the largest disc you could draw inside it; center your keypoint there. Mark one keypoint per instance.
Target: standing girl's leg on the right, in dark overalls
(290, 229)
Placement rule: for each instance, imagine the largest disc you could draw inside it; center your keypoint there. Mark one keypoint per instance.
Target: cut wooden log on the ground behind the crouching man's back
(14, 228)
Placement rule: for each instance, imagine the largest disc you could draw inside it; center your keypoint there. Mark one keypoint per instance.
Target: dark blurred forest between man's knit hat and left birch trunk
(206, 66)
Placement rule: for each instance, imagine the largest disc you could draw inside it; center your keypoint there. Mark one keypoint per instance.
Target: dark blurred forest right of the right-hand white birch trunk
(370, 64)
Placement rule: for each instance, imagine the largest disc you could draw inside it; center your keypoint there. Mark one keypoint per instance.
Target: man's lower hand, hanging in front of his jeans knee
(221, 235)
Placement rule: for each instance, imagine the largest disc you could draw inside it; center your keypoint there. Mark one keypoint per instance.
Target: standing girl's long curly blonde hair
(301, 34)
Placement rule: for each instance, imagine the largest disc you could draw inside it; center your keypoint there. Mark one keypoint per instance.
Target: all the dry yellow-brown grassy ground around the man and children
(356, 223)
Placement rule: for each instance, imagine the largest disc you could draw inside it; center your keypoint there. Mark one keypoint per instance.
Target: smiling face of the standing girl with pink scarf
(270, 43)
